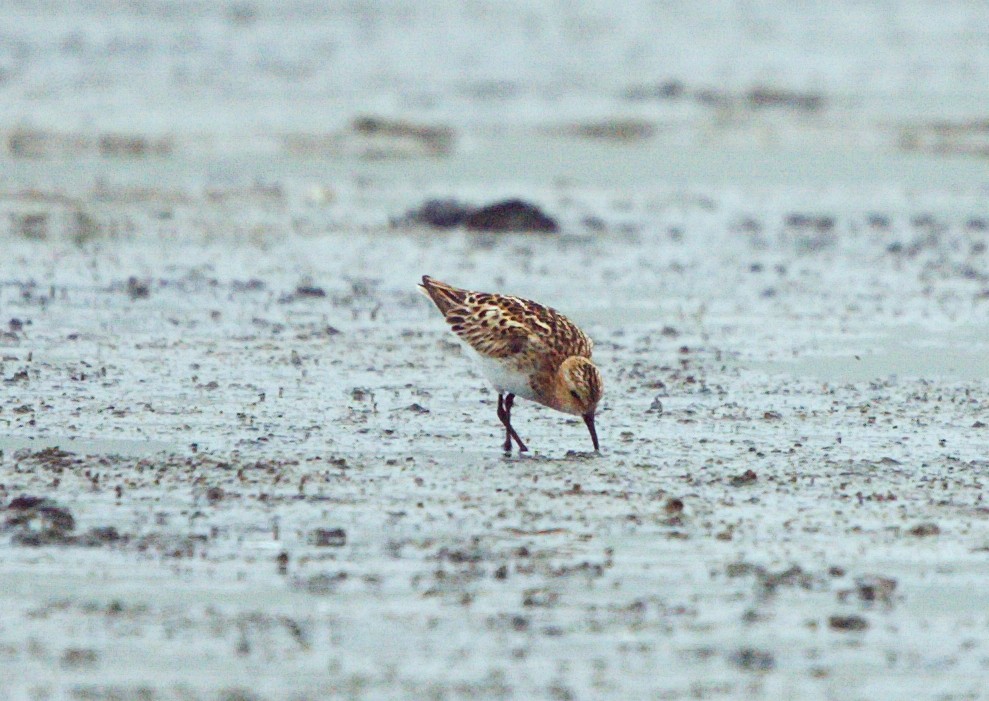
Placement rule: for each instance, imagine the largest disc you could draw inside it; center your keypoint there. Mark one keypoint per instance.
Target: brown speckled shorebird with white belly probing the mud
(525, 350)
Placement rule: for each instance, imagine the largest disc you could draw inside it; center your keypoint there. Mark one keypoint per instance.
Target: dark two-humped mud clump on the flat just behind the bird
(512, 215)
